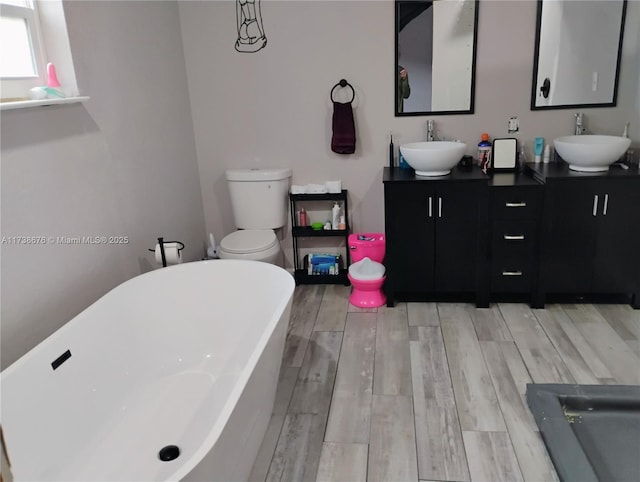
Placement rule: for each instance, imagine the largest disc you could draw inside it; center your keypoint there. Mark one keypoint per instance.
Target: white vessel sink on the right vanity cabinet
(591, 153)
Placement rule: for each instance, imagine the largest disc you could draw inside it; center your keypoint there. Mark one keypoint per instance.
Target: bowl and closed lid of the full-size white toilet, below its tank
(253, 244)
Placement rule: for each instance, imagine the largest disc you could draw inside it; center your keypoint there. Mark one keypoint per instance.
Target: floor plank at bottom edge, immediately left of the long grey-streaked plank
(392, 449)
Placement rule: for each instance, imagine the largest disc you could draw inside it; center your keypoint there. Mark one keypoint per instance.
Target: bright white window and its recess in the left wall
(33, 33)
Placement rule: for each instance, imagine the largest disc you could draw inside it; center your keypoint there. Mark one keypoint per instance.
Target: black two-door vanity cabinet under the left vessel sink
(435, 234)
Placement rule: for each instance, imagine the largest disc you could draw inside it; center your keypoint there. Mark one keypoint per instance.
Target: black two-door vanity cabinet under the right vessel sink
(591, 233)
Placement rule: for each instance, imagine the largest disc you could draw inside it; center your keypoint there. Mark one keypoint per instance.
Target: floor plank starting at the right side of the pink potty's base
(392, 367)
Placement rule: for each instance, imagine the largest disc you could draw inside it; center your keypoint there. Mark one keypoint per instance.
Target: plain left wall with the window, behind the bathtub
(123, 163)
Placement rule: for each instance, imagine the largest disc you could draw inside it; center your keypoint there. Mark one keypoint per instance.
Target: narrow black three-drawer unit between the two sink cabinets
(515, 205)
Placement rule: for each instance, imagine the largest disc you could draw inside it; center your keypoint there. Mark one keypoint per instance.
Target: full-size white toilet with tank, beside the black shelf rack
(259, 199)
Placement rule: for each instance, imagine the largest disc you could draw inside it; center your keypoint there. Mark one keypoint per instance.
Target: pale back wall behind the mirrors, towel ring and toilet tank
(273, 108)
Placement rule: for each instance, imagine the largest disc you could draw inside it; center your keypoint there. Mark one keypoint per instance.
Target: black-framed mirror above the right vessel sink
(577, 53)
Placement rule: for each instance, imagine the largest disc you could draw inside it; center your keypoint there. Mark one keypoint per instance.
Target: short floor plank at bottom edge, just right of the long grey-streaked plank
(491, 457)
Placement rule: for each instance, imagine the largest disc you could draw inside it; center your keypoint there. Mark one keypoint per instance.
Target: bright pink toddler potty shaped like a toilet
(367, 271)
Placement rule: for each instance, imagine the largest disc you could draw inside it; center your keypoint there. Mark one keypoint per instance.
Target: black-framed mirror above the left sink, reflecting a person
(435, 56)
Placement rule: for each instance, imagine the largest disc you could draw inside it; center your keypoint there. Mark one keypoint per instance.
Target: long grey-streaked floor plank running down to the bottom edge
(440, 449)
